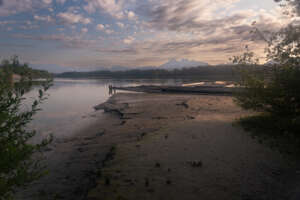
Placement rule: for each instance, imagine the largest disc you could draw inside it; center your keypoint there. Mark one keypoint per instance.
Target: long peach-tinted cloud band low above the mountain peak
(154, 51)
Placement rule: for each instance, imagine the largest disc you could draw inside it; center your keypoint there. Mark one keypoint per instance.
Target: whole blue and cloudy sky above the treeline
(102, 33)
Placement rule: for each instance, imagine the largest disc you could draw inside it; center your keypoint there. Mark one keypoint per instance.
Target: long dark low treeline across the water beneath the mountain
(220, 72)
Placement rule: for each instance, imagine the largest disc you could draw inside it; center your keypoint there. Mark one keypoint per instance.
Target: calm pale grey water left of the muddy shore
(70, 103)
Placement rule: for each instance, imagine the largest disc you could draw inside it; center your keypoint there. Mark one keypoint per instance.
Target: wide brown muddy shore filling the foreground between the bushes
(164, 146)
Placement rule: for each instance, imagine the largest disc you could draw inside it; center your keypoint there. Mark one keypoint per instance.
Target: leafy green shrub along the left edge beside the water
(17, 167)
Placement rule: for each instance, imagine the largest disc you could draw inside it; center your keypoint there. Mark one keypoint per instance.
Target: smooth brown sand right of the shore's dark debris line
(186, 147)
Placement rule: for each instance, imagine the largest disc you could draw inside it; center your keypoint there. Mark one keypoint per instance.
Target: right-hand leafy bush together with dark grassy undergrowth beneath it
(273, 90)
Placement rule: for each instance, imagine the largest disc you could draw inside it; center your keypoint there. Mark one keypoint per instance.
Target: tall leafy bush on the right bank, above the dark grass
(274, 89)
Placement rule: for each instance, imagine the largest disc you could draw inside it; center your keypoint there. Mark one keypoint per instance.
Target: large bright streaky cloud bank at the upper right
(205, 23)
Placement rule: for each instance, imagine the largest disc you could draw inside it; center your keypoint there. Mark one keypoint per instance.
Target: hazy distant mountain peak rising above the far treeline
(183, 63)
